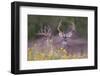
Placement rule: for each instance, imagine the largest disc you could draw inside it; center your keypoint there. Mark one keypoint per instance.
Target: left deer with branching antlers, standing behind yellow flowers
(46, 32)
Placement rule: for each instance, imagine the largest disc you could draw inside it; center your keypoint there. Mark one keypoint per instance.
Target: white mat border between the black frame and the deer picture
(26, 65)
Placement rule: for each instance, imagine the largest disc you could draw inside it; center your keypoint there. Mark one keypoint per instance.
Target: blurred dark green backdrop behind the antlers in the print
(36, 21)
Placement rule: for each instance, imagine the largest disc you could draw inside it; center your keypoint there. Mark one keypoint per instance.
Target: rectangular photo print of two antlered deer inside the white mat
(57, 37)
